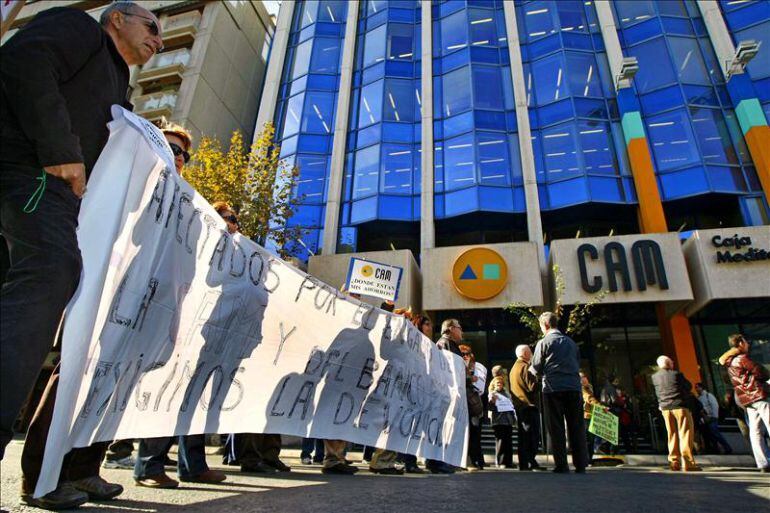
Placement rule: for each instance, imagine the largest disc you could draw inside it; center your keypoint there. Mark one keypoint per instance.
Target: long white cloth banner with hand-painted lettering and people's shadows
(180, 328)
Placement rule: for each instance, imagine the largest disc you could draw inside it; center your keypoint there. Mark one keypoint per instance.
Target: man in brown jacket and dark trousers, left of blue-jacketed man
(525, 400)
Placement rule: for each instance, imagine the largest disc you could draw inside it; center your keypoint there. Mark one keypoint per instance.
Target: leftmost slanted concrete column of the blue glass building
(275, 67)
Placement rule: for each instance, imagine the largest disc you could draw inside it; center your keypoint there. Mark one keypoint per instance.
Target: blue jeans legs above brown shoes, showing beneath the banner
(151, 456)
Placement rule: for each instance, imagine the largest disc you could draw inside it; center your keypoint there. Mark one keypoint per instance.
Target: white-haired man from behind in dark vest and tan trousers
(673, 391)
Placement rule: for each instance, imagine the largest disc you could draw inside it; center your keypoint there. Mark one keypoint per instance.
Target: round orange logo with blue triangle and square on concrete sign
(480, 273)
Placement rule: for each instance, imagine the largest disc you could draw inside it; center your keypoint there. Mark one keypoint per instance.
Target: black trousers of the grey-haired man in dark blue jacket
(560, 407)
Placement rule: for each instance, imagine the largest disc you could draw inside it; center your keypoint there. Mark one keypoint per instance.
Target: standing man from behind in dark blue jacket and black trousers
(557, 360)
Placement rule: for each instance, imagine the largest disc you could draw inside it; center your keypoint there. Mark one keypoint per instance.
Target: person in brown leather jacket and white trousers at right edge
(749, 381)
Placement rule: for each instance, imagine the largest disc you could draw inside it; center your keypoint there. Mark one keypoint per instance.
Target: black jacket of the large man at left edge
(59, 76)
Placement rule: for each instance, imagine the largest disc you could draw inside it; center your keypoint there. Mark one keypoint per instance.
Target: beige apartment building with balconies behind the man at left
(209, 77)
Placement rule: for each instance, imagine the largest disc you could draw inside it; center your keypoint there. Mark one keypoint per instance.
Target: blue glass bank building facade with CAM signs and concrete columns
(622, 141)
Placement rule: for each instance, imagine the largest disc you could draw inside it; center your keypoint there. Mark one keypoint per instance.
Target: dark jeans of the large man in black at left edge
(44, 272)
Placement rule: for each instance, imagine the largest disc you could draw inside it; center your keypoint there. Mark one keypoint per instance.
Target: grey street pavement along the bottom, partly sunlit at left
(305, 489)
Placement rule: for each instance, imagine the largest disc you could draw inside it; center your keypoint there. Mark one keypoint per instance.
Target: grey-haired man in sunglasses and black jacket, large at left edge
(59, 76)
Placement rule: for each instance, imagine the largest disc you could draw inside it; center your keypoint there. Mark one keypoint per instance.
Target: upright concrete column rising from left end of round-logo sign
(427, 180)
